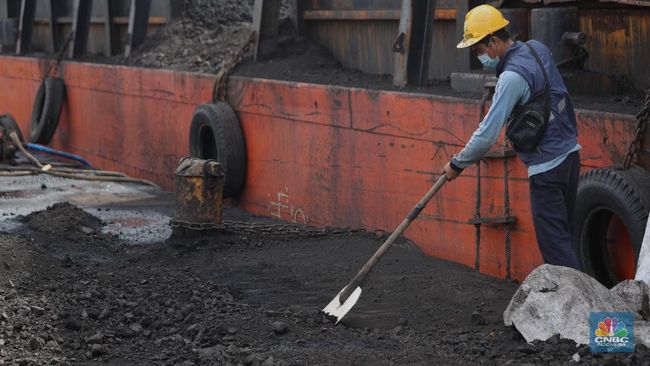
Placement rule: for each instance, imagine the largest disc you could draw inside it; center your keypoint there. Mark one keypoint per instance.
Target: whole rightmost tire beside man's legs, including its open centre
(610, 217)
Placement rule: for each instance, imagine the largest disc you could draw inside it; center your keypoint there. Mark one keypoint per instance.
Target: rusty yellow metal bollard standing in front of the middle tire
(199, 192)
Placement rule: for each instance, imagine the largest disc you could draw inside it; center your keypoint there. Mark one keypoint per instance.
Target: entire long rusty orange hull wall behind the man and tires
(327, 155)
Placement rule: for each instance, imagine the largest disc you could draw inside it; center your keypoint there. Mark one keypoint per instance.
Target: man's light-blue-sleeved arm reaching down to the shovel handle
(510, 89)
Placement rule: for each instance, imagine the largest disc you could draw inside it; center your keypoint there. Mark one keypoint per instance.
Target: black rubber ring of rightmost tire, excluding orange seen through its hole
(601, 192)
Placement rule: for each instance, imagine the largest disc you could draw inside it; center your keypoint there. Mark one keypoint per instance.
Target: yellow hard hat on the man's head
(480, 22)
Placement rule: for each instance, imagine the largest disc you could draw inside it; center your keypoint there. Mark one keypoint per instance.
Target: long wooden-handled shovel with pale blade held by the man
(347, 298)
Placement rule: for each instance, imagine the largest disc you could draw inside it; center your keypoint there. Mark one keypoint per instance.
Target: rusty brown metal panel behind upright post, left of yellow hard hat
(360, 33)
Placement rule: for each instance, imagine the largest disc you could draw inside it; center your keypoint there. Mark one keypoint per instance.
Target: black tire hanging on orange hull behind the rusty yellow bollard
(217, 134)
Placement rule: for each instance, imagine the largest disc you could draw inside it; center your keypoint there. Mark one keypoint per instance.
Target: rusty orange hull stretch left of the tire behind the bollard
(133, 120)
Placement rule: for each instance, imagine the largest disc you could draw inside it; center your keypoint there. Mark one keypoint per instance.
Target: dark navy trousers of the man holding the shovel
(553, 197)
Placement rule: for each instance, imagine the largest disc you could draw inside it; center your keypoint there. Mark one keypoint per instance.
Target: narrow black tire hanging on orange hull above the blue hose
(47, 110)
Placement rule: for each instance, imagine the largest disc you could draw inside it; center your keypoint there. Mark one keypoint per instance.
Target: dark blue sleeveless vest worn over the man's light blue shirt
(561, 134)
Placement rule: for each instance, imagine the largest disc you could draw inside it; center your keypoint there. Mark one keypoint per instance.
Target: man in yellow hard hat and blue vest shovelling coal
(554, 164)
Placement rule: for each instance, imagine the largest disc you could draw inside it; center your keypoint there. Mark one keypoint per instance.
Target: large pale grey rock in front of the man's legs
(558, 300)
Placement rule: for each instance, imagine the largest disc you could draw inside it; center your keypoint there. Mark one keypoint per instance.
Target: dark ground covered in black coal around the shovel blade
(72, 294)
